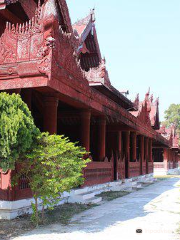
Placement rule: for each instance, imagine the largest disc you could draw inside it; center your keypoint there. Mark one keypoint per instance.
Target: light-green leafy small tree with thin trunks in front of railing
(55, 165)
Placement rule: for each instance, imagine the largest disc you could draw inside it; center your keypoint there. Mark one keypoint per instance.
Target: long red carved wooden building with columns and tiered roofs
(58, 70)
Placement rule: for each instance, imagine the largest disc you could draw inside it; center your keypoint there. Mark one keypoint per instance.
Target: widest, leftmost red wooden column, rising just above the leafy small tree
(50, 114)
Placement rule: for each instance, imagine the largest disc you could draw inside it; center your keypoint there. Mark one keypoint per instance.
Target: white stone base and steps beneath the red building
(10, 210)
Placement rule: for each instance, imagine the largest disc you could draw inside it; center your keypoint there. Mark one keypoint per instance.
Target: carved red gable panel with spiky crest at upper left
(22, 42)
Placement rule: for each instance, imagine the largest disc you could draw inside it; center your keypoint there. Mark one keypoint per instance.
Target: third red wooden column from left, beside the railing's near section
(101, 138)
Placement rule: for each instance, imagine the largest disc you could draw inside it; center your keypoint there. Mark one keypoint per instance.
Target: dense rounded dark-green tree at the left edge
(17, 129)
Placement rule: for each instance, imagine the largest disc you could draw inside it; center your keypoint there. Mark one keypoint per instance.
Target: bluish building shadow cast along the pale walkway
(135, 205)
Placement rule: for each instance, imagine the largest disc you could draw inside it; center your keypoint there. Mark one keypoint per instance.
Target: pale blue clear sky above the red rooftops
(140, 40)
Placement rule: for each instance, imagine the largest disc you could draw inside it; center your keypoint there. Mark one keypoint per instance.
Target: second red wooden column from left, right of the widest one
(85, 129)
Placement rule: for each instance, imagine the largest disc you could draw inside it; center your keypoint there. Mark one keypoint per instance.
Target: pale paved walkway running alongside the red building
(155, 210)
